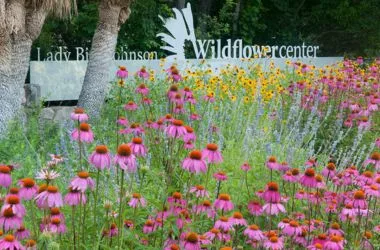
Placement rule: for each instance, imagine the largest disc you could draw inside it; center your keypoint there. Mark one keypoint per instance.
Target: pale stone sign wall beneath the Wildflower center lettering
(62, 80)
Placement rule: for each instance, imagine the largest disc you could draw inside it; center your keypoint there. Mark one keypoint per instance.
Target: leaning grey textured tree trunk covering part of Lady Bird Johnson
(101, 57)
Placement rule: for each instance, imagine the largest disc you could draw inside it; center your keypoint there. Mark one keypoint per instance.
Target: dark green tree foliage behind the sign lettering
(339, 27)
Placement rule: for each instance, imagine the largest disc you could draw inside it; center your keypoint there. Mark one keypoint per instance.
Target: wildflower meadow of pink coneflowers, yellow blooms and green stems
(198, 158)
